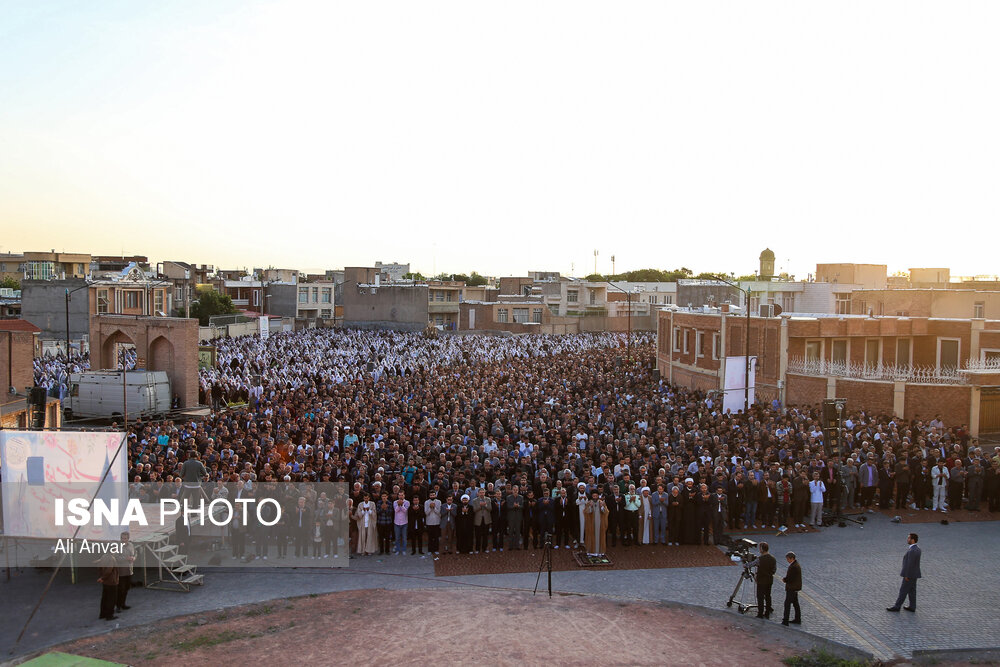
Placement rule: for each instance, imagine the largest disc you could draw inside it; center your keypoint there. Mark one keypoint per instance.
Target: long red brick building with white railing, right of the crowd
(893, 365)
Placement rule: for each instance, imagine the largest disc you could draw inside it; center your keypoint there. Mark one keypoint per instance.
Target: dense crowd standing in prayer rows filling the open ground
(474, 444)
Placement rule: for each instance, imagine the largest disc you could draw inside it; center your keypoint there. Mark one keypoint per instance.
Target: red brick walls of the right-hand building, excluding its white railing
(688, 356)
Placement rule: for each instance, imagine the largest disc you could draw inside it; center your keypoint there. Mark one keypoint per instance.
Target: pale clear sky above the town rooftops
(504, 136)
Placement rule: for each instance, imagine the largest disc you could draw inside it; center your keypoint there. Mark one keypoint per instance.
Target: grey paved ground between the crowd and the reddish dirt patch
(850, 575)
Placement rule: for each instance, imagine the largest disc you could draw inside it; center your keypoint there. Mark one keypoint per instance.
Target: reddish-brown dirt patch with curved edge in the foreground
(457, 627)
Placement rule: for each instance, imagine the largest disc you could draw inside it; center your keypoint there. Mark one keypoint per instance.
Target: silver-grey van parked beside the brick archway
(97, 394)
